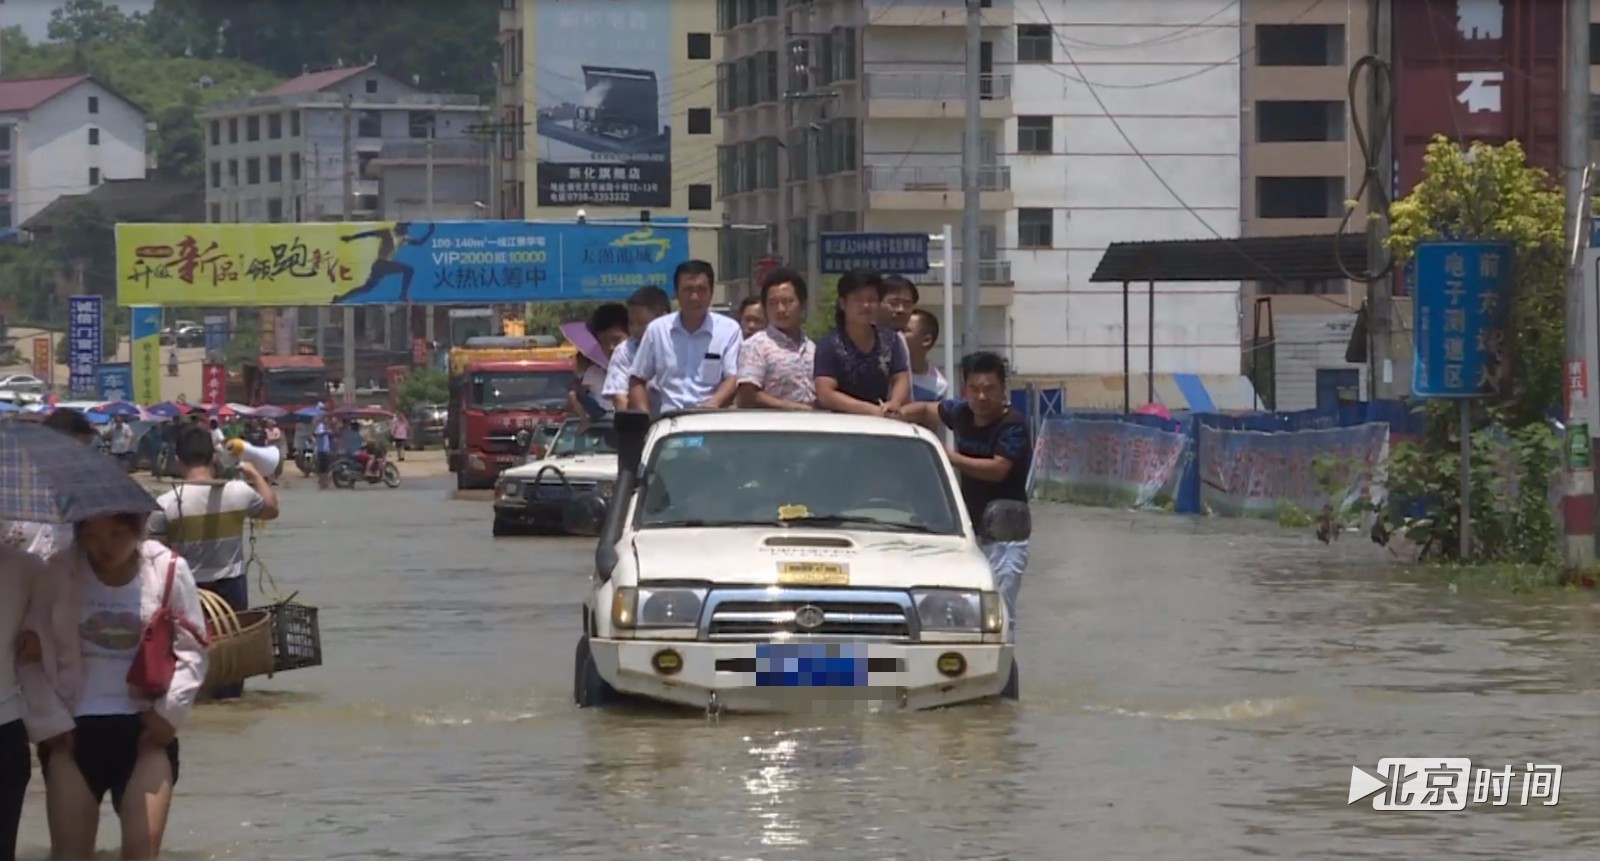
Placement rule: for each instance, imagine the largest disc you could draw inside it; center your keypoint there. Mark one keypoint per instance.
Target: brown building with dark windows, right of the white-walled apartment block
(1302, 164)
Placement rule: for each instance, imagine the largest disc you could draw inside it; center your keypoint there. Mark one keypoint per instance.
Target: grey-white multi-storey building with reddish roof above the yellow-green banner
(281, 156)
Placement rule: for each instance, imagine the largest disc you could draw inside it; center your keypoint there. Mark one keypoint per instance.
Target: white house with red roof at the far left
(60, 137)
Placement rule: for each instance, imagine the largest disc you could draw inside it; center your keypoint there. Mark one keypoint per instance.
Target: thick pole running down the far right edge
(1578, 510)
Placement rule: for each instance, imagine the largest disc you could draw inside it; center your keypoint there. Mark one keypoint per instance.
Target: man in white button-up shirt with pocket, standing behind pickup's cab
(690, 356)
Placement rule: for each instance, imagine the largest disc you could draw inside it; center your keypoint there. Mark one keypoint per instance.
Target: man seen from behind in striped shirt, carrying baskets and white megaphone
(206, 523)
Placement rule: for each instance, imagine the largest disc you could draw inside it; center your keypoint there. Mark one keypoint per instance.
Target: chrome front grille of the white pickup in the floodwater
(767, 614)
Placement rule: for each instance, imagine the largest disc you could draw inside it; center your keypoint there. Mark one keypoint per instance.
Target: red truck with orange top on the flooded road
(497, 393)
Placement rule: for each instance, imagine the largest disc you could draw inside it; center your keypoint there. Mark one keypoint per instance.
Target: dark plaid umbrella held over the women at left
(50, 478)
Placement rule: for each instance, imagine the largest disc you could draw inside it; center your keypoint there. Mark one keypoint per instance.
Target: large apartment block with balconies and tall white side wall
(852, 113)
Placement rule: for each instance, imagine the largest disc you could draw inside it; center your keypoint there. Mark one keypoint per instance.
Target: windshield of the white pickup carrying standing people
(855, 481)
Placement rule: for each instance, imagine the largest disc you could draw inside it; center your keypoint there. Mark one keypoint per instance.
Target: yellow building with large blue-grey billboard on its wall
(618, 113)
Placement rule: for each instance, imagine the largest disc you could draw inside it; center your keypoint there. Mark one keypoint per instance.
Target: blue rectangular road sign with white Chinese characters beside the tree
(1462, 294)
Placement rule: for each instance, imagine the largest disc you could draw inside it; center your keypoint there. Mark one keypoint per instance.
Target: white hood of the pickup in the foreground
(758, 556)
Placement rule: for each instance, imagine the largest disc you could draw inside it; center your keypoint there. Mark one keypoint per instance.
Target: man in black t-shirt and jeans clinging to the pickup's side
(993, 454)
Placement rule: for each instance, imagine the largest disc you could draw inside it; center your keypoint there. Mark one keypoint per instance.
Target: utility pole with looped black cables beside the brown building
(1382, 369)
